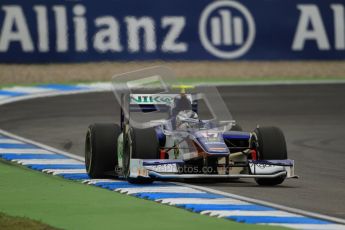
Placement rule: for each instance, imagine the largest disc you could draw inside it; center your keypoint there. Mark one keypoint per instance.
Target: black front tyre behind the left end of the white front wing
(139, 144)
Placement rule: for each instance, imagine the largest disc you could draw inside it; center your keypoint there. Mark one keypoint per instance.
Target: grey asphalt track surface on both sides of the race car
(311, 116)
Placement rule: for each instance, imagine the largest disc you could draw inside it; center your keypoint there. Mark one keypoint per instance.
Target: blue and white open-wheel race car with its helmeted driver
(169, 132)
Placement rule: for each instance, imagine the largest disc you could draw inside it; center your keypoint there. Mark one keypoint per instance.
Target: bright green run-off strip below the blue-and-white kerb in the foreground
(72, 205)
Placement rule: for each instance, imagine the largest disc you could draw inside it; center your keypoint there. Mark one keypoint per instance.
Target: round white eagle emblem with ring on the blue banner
(219, 29)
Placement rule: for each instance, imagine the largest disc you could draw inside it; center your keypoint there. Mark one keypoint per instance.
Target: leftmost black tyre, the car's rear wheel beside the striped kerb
(101, 150)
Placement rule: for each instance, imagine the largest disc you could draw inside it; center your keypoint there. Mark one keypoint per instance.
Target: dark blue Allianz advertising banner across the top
(76, 31)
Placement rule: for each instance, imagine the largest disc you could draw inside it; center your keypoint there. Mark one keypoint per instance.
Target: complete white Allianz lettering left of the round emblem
(73, 30)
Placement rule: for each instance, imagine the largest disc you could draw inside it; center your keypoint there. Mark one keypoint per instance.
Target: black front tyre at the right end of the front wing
(270, 145)
